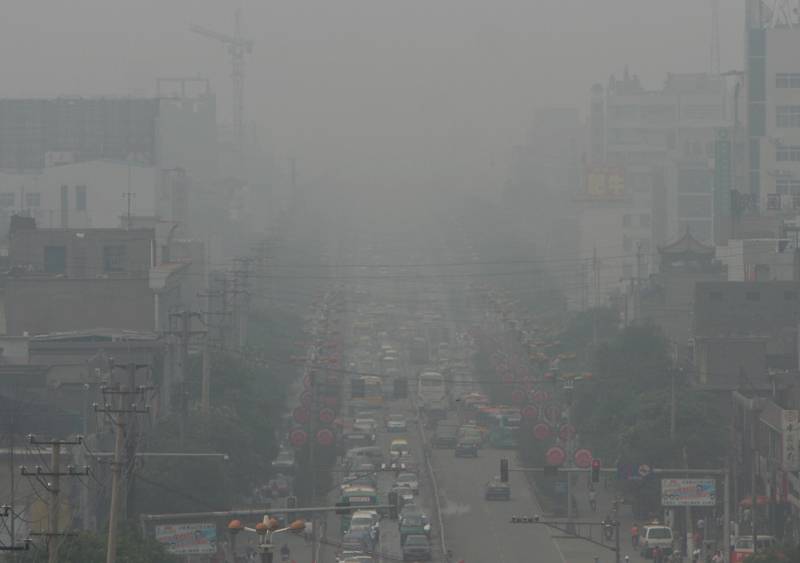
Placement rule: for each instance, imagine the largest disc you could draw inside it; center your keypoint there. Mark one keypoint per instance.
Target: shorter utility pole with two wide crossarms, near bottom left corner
(53, 487)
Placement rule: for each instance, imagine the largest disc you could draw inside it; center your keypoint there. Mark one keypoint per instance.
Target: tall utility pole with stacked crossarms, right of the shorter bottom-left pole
(122, 416)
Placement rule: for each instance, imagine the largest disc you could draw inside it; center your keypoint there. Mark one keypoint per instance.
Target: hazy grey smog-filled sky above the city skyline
(373, 93)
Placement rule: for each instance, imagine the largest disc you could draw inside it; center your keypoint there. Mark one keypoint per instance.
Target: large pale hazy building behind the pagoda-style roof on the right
(650, 168)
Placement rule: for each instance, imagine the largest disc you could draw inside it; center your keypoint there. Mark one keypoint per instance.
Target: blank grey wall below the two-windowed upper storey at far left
(44, 305)
